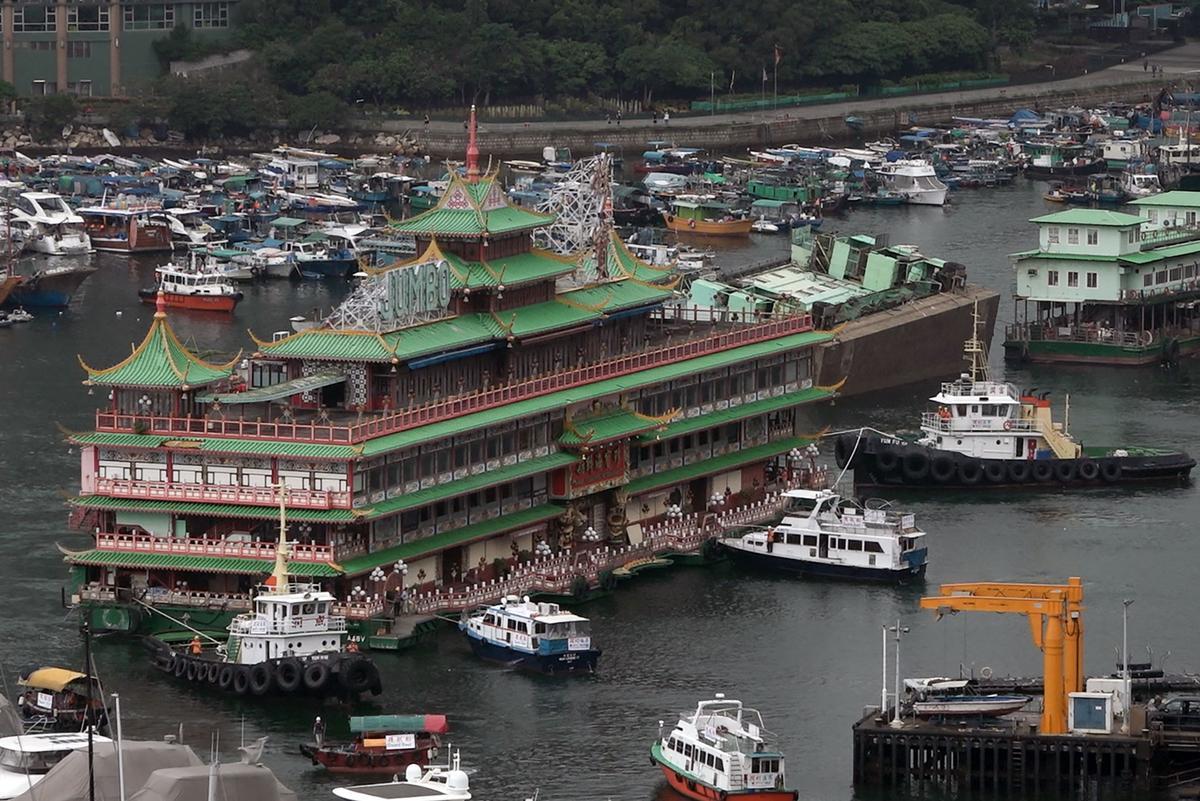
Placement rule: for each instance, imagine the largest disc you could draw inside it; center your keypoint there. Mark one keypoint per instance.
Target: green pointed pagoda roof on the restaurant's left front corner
(161, 362)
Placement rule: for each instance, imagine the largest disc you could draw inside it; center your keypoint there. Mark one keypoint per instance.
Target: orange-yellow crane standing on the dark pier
(1057, 622)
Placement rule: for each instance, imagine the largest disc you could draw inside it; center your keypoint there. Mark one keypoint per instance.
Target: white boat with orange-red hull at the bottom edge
(722, 752)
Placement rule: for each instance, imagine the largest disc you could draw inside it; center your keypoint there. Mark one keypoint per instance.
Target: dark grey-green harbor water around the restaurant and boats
(807, 654)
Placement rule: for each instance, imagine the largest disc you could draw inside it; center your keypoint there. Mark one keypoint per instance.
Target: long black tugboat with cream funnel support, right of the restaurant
(988, 433)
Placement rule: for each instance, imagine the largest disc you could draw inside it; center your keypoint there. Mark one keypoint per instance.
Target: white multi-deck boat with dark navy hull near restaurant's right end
(823, 535)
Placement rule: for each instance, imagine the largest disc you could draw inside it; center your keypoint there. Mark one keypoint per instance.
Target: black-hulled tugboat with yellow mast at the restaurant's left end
(290, 645)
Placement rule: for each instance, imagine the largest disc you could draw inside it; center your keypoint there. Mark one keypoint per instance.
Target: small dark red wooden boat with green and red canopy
(383, 744)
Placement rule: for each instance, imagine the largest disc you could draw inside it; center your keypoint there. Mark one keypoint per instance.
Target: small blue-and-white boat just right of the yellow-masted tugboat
(535, 636)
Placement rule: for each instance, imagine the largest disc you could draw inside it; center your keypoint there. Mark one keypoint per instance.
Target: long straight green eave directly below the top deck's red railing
(590, 392)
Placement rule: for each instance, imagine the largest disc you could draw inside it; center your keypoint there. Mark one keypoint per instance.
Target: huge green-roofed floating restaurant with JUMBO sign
(458, 413)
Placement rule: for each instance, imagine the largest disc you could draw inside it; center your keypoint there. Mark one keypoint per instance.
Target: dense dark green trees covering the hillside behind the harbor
(422, 53)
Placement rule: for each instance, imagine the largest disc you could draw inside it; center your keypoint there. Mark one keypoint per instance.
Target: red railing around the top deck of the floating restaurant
(457, 406)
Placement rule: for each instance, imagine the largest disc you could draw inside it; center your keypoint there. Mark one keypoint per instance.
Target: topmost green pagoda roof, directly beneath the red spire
(472, 210)
